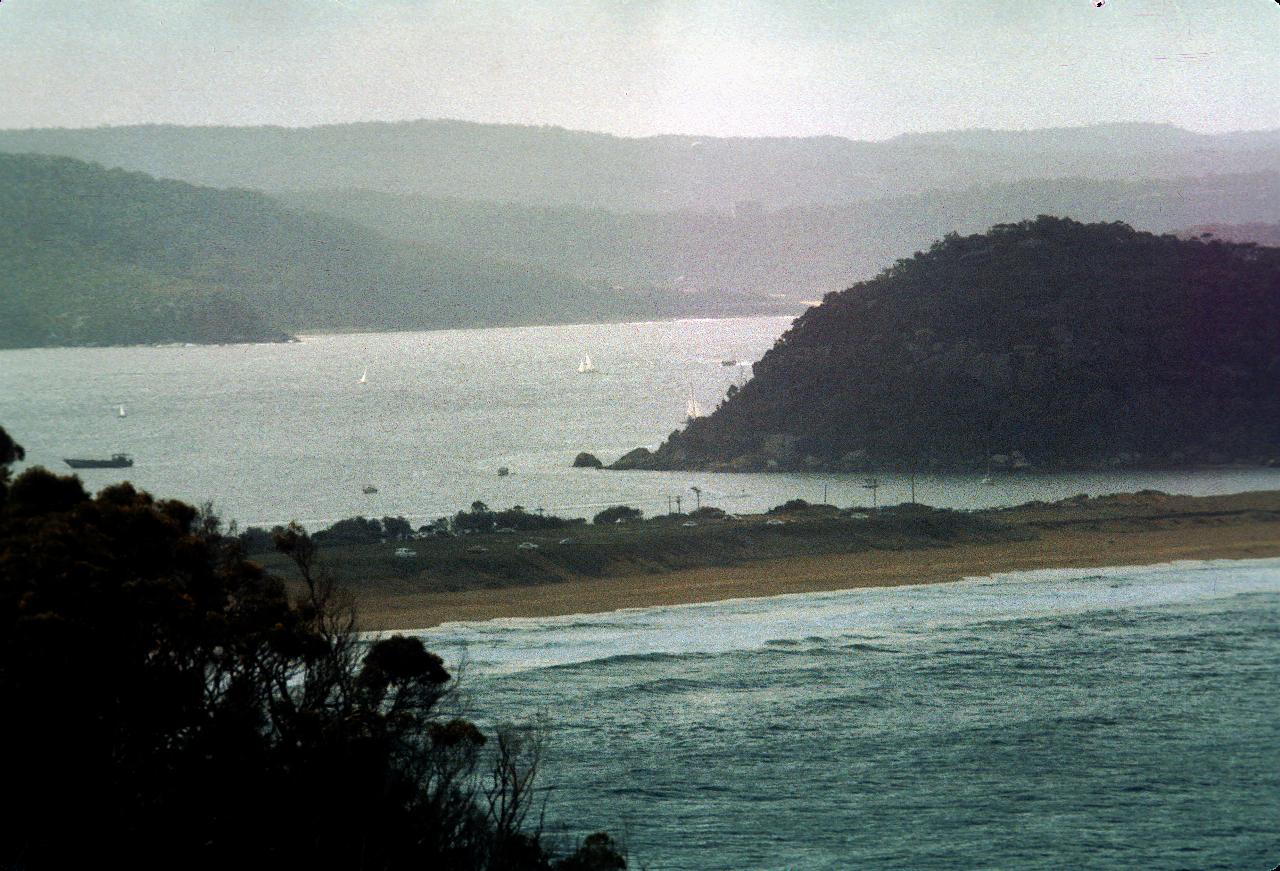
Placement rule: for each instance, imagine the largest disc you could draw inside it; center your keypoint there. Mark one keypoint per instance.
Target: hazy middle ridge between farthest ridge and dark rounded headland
(798, 253)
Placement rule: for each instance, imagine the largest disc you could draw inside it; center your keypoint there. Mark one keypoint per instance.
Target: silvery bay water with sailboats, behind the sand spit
(272, 434)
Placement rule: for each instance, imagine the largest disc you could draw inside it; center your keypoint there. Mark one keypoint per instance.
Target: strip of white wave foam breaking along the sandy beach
(885, 613)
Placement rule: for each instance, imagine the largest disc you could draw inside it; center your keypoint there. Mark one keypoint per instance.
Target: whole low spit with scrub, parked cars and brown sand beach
(707, 557)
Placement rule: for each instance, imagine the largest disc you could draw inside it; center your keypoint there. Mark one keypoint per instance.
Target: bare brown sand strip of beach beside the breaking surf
(388, 610)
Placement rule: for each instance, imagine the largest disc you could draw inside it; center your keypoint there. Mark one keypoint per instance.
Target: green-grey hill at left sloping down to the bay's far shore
(97, 257)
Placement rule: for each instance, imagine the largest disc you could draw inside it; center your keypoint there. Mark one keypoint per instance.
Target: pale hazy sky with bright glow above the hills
(858, 69)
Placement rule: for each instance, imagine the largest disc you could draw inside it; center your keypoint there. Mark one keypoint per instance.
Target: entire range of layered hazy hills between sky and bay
(420, 225)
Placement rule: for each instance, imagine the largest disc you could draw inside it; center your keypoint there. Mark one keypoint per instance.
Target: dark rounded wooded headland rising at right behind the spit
(1049, 344)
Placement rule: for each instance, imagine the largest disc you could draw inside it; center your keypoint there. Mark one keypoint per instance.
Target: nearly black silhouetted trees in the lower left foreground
(168, 705)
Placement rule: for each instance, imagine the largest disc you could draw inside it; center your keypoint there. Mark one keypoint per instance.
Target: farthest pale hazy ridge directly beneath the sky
(555, 167)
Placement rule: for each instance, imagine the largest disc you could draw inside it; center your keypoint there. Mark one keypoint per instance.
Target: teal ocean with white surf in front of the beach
(1064, 719)
